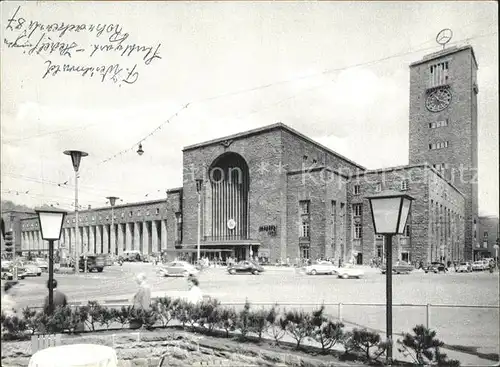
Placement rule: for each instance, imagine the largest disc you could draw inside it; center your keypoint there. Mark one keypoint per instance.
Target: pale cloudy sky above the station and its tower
(337, 72)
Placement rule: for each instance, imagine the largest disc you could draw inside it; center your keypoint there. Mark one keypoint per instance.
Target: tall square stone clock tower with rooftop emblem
(443, 125)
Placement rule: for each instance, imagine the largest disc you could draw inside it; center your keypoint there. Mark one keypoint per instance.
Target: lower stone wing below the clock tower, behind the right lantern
(421, 237)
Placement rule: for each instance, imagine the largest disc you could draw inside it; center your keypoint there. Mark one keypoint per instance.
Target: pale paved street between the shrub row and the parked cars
(469, 327)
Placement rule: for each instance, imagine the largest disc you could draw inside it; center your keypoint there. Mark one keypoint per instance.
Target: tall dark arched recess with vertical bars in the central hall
(229, 182)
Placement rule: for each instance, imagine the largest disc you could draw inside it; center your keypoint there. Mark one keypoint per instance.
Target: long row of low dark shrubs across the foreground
(210, 316)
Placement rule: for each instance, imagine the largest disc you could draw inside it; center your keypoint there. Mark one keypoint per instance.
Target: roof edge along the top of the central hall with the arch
(264, 129)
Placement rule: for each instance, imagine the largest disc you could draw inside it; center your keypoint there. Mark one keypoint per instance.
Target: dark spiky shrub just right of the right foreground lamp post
(424, 348)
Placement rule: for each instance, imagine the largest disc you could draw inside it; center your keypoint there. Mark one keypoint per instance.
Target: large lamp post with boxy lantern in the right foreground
(390, 211)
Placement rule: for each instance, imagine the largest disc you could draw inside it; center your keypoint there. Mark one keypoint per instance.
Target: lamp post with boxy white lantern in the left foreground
(51, 221)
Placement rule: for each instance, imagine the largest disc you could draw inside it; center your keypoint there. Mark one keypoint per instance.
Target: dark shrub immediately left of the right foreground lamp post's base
(363, 340)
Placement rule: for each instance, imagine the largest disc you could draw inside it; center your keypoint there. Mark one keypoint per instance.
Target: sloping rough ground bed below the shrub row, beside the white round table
(145, 348)
